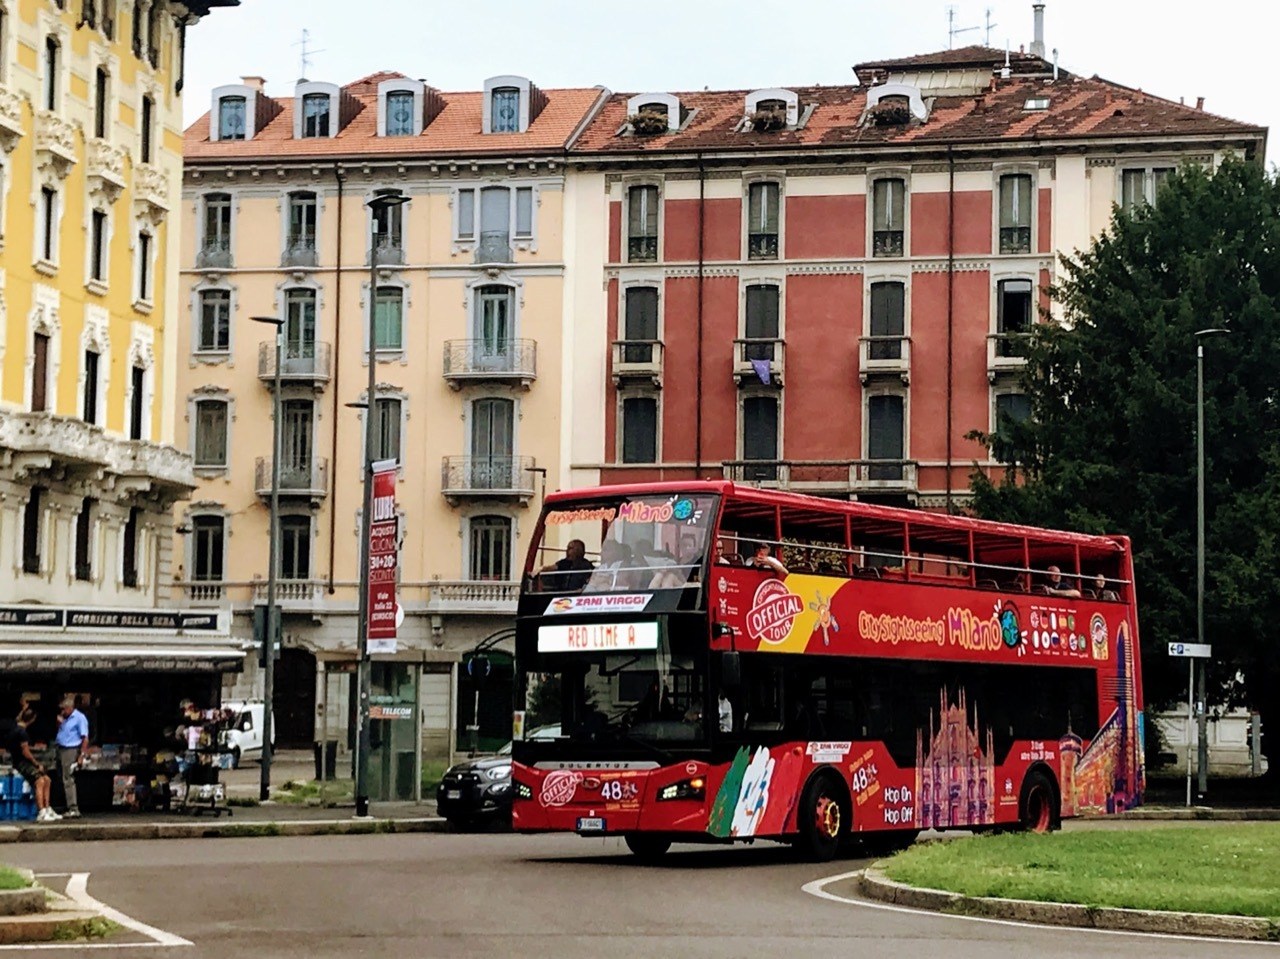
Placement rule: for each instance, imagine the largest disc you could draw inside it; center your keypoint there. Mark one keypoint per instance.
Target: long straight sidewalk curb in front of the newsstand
(88, 833)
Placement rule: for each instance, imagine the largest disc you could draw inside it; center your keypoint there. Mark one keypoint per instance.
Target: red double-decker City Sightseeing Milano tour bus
(715, 663)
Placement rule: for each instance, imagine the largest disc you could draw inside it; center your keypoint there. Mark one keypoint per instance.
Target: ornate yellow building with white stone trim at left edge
(90, 170)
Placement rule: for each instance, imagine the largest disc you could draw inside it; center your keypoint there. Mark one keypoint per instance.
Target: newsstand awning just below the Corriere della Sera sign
(120, 659)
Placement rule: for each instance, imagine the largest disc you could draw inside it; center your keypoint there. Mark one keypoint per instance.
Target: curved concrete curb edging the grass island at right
(876, 885)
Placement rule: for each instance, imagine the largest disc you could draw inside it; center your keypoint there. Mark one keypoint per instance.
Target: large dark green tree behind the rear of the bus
(1110, 446)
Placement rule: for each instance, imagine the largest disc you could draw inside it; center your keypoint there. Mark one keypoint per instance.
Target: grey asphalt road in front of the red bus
(446, 897)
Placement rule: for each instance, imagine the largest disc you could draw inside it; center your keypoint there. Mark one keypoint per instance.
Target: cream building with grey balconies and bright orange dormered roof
(469, 281)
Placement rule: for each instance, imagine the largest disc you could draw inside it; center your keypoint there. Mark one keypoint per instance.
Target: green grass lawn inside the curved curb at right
(1228, 870)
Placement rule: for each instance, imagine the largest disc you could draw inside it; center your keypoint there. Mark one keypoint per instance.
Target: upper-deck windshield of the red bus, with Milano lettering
(623, 544)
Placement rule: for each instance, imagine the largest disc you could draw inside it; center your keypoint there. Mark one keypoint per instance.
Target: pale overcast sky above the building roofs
(1171, 48)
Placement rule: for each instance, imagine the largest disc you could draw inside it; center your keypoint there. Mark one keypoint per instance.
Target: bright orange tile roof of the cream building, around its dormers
(454, 131)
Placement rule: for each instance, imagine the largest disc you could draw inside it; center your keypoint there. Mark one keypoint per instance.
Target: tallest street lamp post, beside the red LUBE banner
(382, 203)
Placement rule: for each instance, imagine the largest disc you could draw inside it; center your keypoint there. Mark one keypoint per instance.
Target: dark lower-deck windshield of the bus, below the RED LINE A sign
(642, 697)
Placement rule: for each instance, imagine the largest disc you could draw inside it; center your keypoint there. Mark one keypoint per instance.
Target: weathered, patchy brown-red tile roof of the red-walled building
(1078, 108)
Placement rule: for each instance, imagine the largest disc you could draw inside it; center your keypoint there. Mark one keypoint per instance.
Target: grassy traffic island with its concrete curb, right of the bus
(1222, 882)
